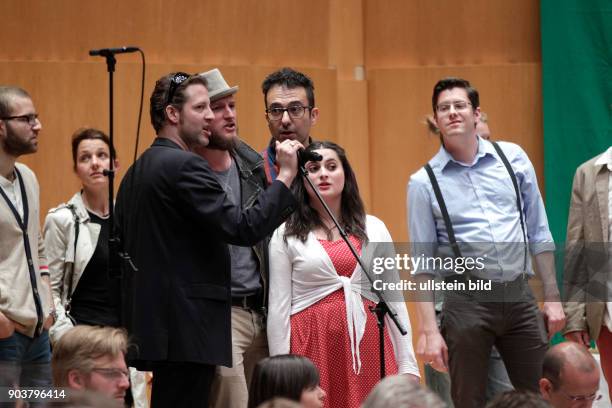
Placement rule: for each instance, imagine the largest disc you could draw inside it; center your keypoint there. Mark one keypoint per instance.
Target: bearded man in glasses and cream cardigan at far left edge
(26, 307)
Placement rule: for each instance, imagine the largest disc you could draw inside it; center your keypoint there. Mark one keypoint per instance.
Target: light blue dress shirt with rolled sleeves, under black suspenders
(481, 203)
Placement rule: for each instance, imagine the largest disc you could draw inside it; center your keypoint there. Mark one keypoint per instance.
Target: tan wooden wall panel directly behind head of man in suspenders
(400, 144)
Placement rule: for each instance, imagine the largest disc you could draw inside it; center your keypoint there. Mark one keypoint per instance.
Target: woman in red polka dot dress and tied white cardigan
(319, 299)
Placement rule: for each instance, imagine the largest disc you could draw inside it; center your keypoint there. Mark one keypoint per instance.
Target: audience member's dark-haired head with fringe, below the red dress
(288, 376)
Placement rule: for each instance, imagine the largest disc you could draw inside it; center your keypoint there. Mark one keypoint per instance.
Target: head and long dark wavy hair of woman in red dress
(336, 181)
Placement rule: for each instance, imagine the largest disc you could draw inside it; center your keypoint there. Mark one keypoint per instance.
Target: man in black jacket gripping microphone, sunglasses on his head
(175, 220)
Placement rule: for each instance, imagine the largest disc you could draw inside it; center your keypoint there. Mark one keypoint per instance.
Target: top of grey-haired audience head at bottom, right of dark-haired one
(397, 391)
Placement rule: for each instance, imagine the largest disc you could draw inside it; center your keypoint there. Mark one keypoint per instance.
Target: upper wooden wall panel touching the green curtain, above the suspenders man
(401, 33)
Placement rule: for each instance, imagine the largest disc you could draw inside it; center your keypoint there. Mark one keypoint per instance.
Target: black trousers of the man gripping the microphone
(181, 385)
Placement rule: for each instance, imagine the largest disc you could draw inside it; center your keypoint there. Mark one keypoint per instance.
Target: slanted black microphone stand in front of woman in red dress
(382, 308)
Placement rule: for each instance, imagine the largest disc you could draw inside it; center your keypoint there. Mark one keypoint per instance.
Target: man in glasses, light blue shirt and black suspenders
(480, 200)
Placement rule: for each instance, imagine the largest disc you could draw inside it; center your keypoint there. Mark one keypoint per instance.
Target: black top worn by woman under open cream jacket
(95, 299)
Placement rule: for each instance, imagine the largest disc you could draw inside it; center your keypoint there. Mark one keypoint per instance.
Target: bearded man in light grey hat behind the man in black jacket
(240, 171)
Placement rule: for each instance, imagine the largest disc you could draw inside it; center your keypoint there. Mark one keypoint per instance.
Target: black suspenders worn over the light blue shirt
(447, 221)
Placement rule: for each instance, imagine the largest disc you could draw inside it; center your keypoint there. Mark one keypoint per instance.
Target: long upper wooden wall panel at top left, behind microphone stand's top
(229, 32)
